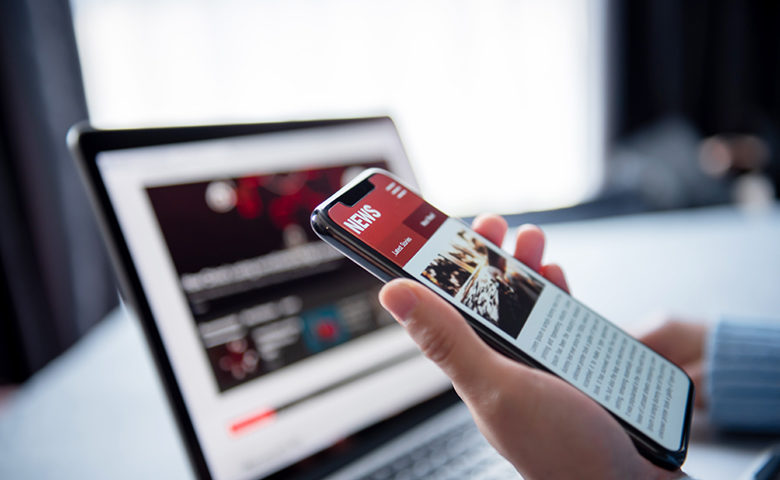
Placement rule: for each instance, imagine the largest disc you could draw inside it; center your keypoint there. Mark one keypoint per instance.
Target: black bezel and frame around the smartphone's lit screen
(384, 269)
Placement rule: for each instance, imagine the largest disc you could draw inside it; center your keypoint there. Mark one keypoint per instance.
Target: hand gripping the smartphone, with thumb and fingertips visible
(545, 427)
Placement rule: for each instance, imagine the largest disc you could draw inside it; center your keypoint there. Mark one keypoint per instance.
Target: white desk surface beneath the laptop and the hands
(99, 410)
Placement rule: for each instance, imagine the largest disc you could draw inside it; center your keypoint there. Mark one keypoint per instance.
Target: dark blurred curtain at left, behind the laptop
(55, 280)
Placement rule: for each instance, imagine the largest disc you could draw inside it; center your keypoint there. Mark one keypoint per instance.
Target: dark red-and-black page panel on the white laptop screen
(258, 282)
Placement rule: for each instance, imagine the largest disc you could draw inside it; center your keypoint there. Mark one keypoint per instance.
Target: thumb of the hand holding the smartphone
(442, 334)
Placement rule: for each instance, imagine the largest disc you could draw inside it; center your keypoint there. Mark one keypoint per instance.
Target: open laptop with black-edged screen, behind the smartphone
(275, 355)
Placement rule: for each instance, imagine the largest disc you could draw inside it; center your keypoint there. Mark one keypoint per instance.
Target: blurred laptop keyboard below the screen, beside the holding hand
(459, 453)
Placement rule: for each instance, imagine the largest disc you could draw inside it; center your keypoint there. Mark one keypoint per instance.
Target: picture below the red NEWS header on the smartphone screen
(481, 279)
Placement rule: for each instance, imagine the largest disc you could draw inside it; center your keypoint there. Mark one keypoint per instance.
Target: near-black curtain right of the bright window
(713, 64)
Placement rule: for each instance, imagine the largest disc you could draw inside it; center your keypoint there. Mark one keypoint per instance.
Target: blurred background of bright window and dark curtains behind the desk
(566, 108)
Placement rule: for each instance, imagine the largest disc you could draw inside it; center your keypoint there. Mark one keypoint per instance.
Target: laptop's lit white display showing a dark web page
(277, 343)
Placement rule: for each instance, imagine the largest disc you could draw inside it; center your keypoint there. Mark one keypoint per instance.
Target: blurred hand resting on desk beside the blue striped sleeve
(682, 342)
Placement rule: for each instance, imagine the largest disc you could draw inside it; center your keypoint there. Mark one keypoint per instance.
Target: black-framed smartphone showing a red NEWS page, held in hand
(388, 229)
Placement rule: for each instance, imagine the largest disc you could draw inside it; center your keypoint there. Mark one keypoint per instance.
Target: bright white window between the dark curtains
(499, 102)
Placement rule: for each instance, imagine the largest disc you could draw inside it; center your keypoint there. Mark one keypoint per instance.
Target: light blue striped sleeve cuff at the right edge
(743, 375)
